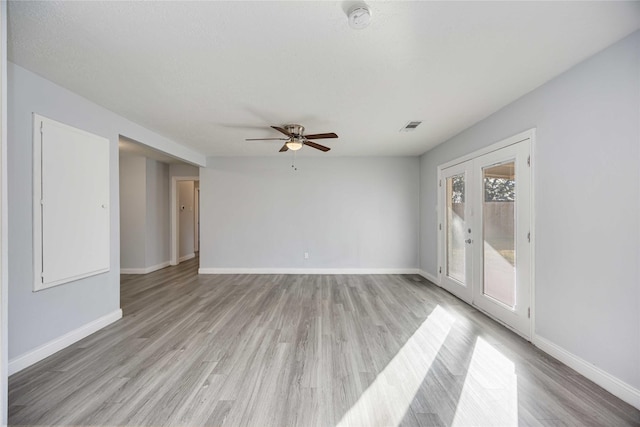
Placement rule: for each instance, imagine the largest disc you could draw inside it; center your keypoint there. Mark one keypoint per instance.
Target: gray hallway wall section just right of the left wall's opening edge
(133, 183)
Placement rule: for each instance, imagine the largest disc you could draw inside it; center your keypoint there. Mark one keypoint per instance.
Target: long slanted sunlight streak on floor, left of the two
(387, 399)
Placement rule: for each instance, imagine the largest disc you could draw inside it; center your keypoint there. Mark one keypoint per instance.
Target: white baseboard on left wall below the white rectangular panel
(45, 350)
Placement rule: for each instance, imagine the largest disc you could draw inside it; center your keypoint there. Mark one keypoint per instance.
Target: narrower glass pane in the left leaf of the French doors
(455, 228)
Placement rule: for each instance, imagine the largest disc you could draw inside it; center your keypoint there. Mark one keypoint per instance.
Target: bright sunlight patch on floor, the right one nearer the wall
(490, 392)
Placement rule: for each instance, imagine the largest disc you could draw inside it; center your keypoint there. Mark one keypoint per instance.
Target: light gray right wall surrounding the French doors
(587, 199)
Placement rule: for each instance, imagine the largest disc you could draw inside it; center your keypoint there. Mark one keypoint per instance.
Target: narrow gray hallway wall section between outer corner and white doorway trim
(158, 234)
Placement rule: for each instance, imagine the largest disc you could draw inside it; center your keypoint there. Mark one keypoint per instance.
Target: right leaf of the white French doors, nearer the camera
(501, 248)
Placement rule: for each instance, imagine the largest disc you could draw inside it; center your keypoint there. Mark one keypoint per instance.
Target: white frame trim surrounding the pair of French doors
(529, 134)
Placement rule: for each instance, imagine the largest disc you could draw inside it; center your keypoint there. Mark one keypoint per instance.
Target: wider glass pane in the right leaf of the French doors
(498, 217)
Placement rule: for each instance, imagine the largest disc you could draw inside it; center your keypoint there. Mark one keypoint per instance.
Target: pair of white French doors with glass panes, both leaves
(485, 233)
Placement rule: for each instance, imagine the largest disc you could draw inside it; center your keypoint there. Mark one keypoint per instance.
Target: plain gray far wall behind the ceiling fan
(346, 212)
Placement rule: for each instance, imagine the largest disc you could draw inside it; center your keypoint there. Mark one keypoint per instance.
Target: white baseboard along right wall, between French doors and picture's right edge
(613, 385)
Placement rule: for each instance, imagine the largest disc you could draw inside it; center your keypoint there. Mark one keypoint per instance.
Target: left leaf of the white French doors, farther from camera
(456, 270)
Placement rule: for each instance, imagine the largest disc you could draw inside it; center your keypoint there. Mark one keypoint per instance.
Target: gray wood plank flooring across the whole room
(297, 350)
